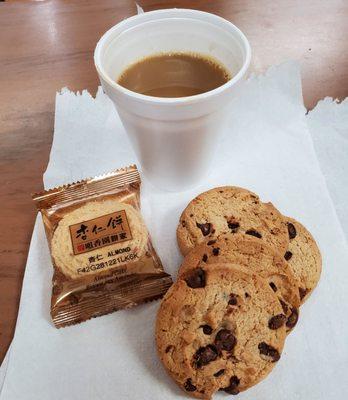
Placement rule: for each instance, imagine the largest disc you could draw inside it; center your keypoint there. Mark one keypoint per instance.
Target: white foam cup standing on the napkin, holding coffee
(173, 138)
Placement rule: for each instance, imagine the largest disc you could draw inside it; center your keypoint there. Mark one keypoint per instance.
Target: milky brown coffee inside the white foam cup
(174, 75)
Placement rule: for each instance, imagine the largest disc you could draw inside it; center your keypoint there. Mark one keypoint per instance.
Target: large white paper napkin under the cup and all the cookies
(267, 149)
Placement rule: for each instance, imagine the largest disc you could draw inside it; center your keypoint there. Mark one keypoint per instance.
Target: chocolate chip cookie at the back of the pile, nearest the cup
(230, 209)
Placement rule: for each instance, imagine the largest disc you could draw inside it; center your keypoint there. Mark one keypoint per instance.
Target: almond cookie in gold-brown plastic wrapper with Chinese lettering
(101, 251)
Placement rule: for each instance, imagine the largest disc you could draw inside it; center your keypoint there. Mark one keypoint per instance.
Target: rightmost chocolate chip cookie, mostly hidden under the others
(303, 256)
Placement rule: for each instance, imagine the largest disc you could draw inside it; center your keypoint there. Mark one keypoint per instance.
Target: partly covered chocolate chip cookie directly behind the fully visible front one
(258, 258)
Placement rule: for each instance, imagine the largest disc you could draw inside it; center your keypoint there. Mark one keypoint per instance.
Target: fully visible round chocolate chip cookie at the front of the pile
(219, 329)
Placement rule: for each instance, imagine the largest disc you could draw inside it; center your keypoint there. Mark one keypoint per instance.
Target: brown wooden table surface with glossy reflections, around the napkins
(47, 45)
